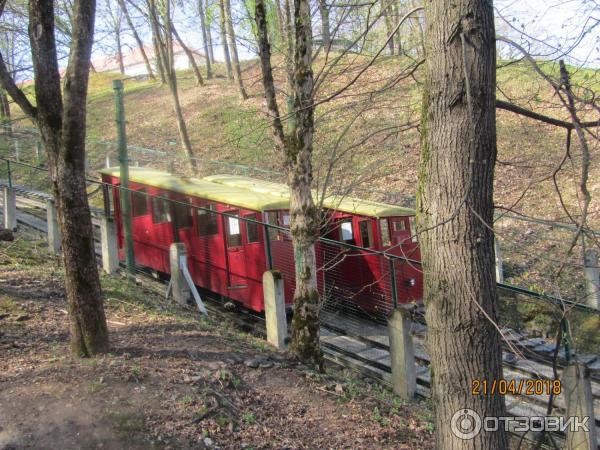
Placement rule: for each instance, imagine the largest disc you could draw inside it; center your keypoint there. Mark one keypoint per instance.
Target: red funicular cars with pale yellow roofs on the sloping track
(228, 256)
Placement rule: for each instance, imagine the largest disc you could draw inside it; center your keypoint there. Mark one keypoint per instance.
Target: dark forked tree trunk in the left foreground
(62, 127)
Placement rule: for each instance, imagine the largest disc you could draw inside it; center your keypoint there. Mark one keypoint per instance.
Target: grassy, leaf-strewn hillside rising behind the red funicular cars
(371, 132)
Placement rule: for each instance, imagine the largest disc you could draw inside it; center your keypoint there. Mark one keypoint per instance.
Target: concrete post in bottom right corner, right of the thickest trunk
(576, 385)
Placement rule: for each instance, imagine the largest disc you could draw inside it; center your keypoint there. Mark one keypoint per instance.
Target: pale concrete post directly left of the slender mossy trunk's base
(275, 308)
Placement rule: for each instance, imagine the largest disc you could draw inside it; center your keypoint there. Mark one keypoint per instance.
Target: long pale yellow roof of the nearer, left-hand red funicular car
(220, 193)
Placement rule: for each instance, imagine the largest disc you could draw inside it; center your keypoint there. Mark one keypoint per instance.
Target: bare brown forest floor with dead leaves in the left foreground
(172, 379)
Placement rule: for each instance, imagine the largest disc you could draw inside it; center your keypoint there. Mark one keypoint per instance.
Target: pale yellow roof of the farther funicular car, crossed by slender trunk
(335, 202)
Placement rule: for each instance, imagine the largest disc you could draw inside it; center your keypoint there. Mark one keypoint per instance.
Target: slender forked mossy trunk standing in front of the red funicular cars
(296, 150)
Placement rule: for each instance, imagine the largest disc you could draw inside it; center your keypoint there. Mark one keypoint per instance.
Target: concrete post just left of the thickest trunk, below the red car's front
(402, 354)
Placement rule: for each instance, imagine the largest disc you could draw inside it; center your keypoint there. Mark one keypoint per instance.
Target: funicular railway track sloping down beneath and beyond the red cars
(362, 347)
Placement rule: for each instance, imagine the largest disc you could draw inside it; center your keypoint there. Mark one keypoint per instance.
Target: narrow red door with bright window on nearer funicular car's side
(236, 260)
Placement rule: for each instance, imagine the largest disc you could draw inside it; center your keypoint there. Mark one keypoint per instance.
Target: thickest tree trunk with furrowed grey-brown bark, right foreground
(455, 213)
